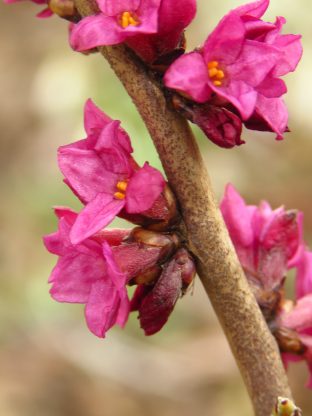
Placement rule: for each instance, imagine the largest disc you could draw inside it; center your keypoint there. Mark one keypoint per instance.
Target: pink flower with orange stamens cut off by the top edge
(151, 27)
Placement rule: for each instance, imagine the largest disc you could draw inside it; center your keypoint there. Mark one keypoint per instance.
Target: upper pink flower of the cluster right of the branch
(265, 240)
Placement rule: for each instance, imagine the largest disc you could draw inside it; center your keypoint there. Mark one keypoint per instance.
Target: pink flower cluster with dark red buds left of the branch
(95, 264)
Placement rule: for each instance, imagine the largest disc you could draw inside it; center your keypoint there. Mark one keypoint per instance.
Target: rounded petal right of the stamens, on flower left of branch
(143, 189)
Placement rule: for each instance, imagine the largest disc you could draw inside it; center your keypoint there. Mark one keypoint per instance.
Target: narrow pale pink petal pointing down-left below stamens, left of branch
(95, 216)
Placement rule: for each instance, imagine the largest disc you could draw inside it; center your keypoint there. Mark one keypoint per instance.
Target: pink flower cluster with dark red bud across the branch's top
(234, 79)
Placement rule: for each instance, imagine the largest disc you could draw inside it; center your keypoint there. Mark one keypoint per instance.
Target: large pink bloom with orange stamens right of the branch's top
(240, 63)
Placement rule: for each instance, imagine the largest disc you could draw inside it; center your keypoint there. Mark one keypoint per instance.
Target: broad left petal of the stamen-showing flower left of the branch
(85, 173)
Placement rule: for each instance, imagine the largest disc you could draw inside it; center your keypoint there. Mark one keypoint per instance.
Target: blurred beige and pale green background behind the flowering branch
(50, 364)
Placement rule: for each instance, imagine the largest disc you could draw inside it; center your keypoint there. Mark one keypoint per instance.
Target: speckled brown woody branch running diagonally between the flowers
(252, 344)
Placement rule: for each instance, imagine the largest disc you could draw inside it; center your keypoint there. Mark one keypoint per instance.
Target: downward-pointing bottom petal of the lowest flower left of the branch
(102, 307)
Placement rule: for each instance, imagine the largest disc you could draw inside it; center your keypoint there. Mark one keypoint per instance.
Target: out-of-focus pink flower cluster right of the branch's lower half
(268, 244)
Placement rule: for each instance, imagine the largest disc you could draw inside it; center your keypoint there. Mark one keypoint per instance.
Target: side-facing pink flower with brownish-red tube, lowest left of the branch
(95, 272)
